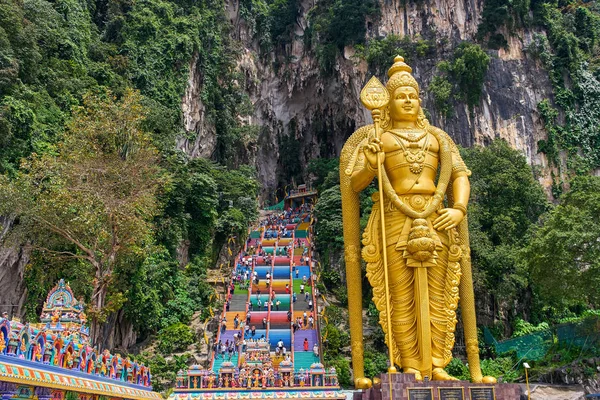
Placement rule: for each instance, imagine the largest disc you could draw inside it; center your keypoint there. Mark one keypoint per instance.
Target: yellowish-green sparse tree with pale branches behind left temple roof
(96, 199)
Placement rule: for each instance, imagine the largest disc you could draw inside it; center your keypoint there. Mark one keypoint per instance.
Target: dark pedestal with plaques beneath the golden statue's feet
(405, 387)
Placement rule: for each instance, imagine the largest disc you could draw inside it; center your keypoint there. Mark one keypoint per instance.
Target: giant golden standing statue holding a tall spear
(426, 268)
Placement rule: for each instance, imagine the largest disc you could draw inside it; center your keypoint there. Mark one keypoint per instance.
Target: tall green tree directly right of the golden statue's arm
(506, 201)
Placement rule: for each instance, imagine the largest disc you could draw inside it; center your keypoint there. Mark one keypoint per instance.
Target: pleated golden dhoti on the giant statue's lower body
(422, 292)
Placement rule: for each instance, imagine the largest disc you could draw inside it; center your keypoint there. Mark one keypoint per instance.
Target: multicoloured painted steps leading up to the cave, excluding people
(282, 257)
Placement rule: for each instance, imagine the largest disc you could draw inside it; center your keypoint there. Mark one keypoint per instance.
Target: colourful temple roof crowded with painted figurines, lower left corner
(45, 361)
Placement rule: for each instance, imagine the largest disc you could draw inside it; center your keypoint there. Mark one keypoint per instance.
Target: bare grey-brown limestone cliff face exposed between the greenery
(317, 112)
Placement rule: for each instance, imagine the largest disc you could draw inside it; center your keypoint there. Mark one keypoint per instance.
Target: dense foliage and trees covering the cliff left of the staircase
(89, 166)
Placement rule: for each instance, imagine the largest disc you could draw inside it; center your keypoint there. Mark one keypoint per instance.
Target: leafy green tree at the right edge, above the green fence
(563, 255)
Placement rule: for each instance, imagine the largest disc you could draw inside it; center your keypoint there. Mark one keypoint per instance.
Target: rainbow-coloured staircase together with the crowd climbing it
(271, 298)
